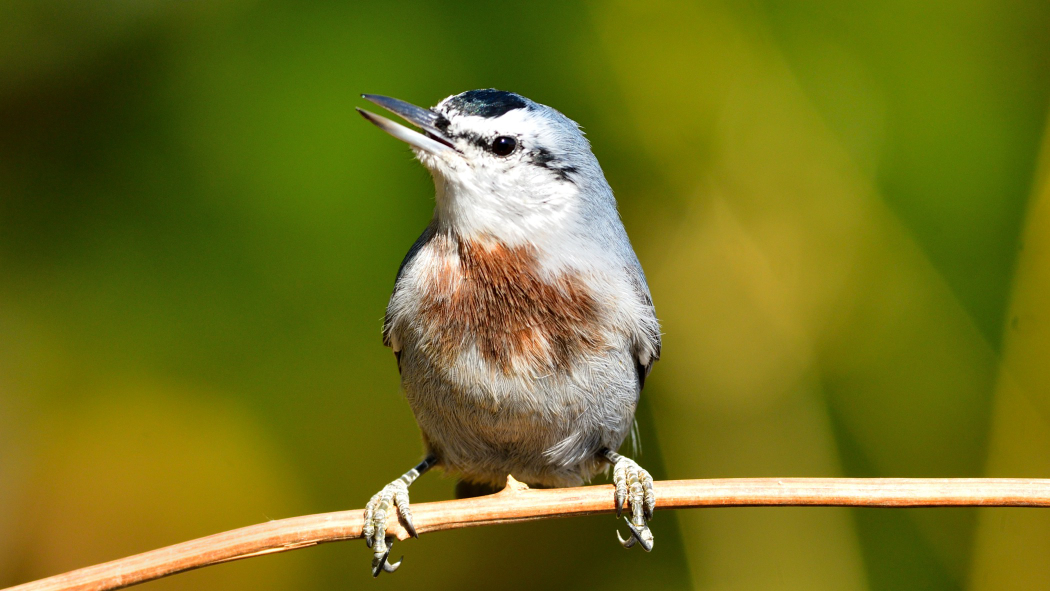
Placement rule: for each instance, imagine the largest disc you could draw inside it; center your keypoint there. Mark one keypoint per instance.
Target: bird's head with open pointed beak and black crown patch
(505, 166)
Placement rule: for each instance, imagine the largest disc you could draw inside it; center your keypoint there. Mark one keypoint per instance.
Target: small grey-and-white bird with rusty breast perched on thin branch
(521, 321)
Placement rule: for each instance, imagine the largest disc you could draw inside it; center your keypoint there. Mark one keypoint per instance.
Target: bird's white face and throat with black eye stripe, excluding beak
(513, 177)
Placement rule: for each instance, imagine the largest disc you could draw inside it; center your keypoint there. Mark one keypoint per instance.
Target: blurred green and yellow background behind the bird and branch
(841, 207)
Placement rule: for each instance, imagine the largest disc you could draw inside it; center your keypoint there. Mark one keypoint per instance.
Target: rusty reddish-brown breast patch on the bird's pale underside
(494, 297)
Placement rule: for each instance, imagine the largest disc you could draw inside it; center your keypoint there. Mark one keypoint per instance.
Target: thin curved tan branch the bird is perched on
(518, 503)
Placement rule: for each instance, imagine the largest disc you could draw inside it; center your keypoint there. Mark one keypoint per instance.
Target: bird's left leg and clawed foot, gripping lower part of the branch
(396, 495)
